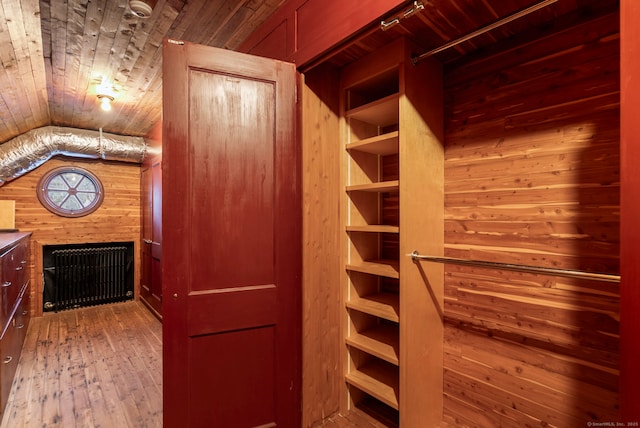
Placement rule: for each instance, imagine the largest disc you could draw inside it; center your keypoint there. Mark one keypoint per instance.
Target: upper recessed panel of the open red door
(233, 186)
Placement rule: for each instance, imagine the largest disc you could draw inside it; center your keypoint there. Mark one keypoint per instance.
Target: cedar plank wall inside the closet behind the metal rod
(532, 177)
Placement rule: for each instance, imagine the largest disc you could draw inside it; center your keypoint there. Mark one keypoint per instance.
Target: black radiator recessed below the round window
(81, 277)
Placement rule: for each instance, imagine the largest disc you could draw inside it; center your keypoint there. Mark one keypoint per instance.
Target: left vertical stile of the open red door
(176, 218)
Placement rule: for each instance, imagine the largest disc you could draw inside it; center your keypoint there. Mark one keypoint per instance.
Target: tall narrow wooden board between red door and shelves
(321, 374)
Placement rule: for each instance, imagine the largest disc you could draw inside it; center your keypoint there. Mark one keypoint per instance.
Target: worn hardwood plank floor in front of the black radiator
(90, 367)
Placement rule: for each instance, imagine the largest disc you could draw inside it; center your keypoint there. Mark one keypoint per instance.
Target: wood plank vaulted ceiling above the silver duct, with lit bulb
(55, 54)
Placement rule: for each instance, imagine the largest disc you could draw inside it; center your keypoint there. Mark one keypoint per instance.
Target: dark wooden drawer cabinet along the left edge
(15, 306)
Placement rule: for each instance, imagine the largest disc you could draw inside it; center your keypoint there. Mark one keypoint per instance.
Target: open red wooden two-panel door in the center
(231, 235)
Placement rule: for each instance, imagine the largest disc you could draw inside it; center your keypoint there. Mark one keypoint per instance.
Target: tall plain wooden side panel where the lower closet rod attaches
(421, 228)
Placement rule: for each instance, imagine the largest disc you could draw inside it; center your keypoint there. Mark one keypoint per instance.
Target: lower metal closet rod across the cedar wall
(568, 273)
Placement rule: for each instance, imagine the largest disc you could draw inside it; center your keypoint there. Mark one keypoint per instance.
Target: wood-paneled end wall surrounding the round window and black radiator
(117, 220)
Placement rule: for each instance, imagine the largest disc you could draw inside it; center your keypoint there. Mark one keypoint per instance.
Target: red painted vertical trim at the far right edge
(630, 211)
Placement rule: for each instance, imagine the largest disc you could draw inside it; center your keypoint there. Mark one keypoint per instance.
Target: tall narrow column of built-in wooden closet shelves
(372, 338)
